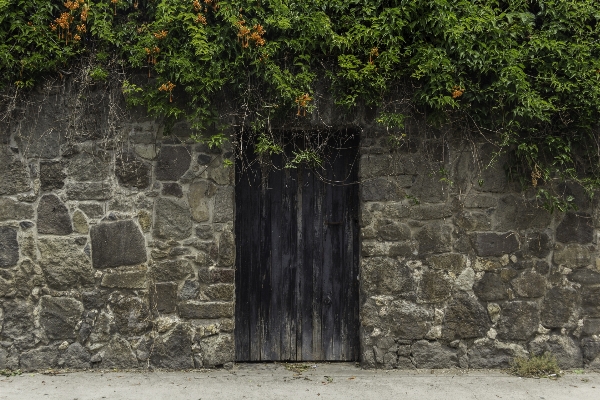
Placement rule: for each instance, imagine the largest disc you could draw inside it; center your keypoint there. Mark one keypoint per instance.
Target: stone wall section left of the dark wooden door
(116, 242)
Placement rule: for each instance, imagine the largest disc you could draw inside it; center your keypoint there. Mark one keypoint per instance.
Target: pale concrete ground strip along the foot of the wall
(319, 381)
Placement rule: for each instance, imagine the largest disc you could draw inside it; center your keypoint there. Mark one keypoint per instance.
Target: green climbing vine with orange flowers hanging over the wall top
(524, 74)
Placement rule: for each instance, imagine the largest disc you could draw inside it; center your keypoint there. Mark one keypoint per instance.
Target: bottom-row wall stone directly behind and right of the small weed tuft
(567, 352)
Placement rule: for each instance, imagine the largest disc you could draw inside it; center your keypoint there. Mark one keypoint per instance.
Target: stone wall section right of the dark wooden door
(461, 269)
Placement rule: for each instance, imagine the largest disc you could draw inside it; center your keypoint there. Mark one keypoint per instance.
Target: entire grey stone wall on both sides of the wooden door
(117, 249)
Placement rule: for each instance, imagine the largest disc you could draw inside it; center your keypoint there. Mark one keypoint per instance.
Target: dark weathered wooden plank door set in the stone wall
(297, 261)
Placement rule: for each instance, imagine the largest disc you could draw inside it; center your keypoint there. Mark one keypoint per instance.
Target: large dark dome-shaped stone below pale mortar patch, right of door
(465, 318)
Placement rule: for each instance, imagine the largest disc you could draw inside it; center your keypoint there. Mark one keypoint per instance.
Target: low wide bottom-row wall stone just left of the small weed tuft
(486, 353)
